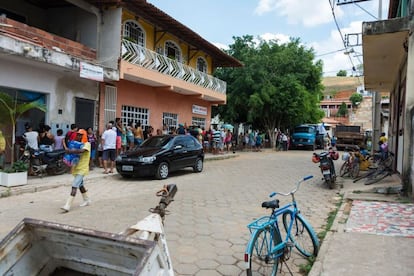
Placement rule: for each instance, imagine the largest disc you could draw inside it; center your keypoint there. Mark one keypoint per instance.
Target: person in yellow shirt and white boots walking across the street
(79, 171)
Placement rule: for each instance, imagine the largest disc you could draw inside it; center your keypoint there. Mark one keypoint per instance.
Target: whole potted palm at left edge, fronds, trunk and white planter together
(10, 112)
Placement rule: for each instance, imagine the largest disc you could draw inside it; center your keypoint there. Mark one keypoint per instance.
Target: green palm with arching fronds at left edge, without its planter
(11, 111)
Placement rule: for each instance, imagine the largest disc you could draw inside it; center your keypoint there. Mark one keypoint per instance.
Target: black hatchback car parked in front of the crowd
(160, 155)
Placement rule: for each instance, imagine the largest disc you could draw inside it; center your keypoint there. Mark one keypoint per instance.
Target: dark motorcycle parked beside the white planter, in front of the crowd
(44, 162)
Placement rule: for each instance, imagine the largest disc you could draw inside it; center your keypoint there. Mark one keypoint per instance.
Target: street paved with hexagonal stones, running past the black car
(206, 230)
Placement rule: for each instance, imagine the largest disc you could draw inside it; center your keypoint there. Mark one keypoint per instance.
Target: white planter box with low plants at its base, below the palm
(15, 175)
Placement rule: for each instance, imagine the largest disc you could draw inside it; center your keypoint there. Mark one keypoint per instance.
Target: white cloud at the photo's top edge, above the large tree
(305, 12)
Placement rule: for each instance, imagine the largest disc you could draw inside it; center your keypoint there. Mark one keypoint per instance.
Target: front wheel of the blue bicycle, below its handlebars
(302, 235)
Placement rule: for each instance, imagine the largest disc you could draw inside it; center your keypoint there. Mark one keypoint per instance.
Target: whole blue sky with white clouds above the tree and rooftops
(218, 21)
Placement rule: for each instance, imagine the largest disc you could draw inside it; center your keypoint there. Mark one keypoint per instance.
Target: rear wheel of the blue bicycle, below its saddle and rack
(261, 262)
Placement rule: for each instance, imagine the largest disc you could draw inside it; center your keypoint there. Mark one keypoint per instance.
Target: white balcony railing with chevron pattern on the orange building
(138, 55)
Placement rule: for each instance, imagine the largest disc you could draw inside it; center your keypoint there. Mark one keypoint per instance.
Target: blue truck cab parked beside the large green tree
(304, 136)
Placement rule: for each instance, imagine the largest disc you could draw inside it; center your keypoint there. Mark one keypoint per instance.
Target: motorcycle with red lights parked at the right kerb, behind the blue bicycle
(325, 160)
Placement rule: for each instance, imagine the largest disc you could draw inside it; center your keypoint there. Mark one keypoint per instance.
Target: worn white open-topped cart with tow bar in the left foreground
(36, 247)
